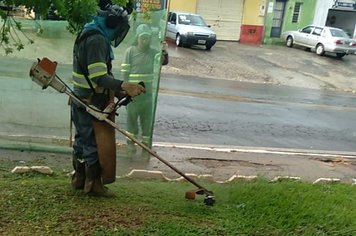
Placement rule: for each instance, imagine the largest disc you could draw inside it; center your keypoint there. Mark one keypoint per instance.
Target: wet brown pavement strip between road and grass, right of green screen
(225, 162)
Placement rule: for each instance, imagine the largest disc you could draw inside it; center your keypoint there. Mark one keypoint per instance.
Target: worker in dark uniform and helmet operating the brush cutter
(94, 141)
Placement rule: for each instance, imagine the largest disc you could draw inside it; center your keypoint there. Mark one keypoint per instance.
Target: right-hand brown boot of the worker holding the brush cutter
(93, 183)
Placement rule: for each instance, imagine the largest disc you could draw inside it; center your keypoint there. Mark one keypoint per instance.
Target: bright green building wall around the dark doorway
(306, 17)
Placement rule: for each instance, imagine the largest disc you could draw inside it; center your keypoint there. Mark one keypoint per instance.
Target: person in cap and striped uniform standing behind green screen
(138, 65)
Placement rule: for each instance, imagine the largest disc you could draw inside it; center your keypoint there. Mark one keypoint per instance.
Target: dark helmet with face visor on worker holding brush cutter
(116, 22)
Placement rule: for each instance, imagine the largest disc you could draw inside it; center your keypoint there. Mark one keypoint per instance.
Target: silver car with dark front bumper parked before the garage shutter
(188, 29)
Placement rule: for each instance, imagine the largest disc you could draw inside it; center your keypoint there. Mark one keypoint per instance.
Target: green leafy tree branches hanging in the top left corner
(76, 12)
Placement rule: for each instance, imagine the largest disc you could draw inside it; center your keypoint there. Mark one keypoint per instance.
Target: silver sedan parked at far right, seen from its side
(321, 39)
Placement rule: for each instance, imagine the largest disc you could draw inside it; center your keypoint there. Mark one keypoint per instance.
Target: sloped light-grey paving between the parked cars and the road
(269, 64)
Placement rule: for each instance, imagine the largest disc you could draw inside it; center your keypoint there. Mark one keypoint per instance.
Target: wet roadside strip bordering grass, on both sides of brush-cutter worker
(220, 163)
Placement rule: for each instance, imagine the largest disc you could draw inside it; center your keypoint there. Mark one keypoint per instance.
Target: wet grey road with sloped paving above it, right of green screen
(312, 115)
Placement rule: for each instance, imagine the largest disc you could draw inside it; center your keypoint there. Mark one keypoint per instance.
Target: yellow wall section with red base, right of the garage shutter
(253, 21)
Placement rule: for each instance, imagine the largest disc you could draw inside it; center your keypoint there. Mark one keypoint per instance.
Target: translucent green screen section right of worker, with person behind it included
(141, 54)
